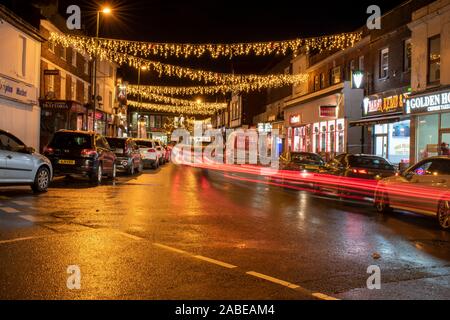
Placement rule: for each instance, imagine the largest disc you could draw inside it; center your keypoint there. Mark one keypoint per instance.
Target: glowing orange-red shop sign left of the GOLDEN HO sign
(380, 104)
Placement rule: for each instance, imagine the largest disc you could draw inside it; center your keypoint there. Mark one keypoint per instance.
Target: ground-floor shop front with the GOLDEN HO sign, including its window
(430, 123)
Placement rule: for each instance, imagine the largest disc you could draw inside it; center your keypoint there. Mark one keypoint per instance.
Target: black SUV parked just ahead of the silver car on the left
(81, 153)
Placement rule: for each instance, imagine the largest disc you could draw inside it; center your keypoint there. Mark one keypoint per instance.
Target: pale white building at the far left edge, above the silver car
(20, 53)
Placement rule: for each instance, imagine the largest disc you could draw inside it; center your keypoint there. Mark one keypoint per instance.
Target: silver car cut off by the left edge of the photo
(21, 165)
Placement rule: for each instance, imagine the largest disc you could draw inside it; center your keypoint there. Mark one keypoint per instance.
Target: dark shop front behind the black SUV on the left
(61, 114)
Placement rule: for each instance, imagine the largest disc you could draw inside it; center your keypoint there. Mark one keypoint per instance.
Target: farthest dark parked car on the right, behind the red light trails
(302, 161)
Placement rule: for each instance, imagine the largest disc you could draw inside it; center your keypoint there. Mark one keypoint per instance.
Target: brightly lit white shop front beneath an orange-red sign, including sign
(387, 126)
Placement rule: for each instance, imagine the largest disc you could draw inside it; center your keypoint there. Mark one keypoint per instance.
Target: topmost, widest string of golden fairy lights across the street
(186, 50)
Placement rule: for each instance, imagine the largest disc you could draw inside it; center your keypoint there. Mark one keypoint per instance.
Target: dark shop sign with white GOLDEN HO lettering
(428, 103)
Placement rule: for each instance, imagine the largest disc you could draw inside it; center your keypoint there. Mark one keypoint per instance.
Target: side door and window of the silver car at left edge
(18, 164)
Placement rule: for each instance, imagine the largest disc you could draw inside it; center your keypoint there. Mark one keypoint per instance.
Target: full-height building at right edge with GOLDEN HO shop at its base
(429, 103)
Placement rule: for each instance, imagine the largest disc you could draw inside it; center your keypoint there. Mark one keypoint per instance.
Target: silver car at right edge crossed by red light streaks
(423, 188)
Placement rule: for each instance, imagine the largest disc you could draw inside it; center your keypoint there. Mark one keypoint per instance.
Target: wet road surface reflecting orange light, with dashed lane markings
(186, 233)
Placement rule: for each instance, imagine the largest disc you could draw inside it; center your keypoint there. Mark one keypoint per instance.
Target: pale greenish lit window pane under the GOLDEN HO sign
(427, 136)
